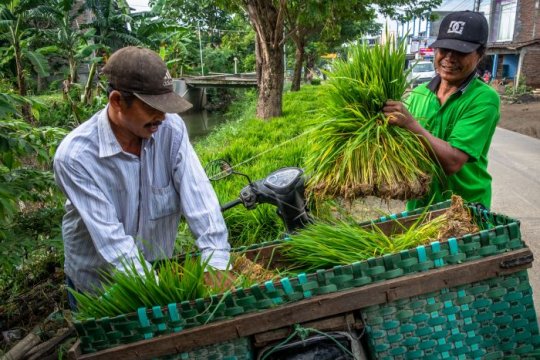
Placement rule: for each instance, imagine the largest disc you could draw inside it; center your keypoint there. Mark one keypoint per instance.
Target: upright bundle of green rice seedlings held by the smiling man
(354, 152)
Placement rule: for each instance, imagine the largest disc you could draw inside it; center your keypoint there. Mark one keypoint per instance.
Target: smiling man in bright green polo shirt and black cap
(456, 113)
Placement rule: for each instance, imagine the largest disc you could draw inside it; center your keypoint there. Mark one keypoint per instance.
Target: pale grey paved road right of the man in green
(514, 163)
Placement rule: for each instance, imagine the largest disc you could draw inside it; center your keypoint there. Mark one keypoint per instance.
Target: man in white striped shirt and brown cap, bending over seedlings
(129, 173)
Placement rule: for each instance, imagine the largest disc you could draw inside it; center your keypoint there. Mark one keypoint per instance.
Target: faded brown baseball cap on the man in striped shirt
(141, 71)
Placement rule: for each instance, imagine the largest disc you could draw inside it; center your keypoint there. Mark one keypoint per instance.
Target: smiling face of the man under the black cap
(453, 66)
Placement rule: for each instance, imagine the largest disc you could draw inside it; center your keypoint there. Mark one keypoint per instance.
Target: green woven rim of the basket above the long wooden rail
(501, 235)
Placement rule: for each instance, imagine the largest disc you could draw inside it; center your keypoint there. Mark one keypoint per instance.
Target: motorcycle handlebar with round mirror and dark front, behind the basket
(283, 188)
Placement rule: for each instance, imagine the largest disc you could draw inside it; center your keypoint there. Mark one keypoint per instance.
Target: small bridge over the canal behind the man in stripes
(193, 88)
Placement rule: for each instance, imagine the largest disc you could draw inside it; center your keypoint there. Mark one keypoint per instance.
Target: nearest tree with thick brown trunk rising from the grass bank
(268, 18)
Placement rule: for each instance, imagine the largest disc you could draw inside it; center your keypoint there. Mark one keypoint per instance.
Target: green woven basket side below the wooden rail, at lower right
(490, 319)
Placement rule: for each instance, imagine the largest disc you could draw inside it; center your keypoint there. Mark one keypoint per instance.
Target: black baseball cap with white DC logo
(463, 31)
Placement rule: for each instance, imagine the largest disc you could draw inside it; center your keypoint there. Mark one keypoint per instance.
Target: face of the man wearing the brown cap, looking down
(140, 119)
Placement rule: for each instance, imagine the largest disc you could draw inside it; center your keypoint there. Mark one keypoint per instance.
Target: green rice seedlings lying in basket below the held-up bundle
(324, 245)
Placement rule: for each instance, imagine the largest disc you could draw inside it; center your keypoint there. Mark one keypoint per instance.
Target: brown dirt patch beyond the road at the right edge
(522, 118)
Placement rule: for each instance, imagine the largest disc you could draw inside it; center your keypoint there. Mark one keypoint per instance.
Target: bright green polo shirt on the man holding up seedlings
(467, 121)
